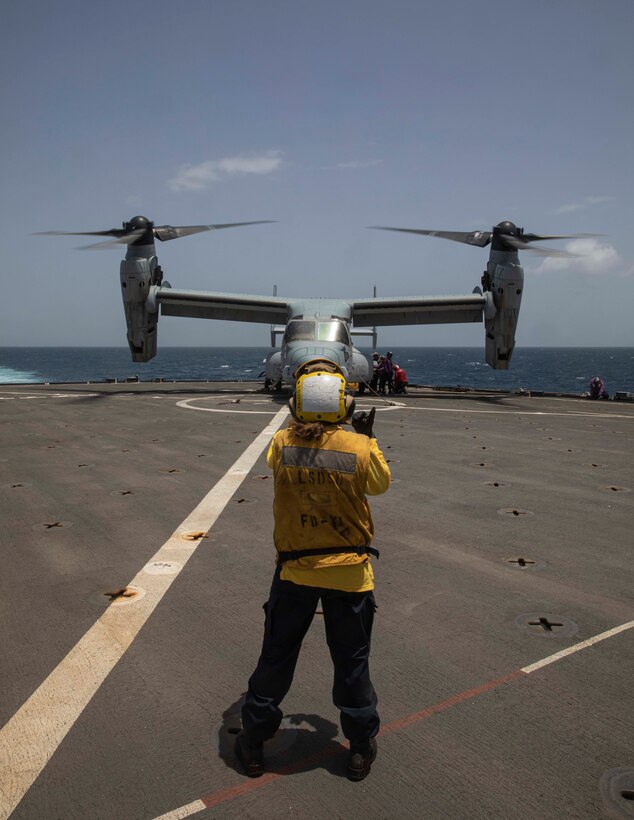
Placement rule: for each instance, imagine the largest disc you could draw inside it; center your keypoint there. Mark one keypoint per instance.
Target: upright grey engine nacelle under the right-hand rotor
(504, 283)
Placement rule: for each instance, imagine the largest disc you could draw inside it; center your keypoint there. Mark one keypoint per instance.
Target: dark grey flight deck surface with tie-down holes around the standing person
(94, 479)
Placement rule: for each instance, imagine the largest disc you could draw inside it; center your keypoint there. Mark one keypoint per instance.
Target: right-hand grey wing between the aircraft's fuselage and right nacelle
(418, 310)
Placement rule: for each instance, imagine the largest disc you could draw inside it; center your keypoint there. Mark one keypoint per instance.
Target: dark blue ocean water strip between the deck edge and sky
(552, 369)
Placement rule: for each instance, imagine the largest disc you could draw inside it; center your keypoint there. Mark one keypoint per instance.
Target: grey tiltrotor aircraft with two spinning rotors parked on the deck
(315, 328)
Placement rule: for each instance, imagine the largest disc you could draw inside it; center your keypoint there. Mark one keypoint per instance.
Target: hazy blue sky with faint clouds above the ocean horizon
(328, 117)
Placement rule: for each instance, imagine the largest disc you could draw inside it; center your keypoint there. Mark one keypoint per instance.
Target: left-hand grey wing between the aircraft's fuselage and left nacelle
(237, 307)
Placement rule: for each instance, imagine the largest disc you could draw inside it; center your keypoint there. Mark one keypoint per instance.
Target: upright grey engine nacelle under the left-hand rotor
(137, 277)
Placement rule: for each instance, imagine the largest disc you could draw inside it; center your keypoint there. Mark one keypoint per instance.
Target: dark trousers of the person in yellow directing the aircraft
(348, 617)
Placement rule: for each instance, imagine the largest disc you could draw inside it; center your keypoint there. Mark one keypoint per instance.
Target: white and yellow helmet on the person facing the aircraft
(320, 393)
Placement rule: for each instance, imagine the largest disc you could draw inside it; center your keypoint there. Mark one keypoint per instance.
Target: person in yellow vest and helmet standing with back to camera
(323, 535)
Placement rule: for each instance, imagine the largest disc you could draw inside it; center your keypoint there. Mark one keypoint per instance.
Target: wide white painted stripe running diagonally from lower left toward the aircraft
(30, 738)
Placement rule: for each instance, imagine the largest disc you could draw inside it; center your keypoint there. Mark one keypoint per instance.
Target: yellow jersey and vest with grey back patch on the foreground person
(320, 501)
